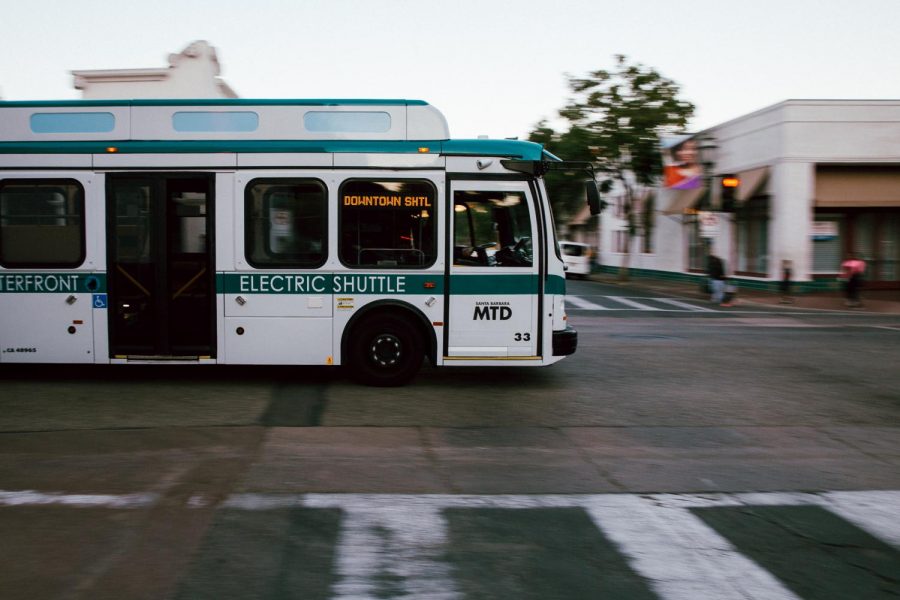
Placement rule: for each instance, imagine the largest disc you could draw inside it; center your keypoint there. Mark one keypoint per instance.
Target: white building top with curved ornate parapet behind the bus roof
(192, 73)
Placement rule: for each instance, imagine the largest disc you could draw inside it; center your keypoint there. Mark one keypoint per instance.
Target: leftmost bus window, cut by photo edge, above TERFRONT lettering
(41, 223)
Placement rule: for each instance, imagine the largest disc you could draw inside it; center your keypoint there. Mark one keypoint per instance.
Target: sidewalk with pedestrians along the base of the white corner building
(874, 301)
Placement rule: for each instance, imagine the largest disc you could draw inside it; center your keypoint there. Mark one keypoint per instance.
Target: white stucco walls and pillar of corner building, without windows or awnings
(789, 138)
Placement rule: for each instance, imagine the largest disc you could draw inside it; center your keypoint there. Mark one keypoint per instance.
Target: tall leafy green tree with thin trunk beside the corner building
(615, 120)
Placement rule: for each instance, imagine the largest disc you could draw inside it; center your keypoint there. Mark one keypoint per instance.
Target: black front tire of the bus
(385, 351)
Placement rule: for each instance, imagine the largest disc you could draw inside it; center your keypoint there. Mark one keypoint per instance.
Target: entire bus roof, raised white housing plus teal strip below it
(239, 125)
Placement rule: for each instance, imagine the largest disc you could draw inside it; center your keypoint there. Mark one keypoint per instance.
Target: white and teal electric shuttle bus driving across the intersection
(277, 232)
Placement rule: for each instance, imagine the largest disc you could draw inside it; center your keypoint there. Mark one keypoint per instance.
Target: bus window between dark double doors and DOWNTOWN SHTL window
(286, 223)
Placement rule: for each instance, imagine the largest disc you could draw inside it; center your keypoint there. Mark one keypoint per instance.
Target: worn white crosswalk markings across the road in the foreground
(406, 537)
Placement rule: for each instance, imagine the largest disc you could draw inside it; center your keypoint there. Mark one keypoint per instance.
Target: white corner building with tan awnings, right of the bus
(819, 179)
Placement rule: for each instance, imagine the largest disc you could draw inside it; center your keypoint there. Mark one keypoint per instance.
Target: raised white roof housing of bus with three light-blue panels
(238, 119)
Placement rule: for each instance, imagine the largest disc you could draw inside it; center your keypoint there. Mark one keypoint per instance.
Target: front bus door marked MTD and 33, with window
(494, 272)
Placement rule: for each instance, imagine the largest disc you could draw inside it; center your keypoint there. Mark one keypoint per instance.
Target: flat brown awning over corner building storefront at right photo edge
(862, 185)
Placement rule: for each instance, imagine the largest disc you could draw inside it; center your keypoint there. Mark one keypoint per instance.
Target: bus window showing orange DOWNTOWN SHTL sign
(388, 224)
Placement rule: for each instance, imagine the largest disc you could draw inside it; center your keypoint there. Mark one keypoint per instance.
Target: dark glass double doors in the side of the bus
(160, 267)
